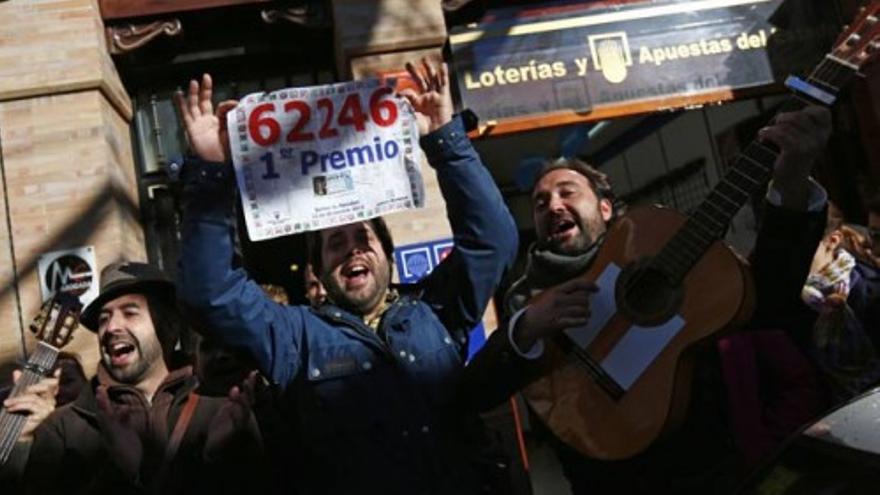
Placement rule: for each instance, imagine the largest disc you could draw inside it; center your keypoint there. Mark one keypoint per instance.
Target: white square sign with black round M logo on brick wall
(73, 271)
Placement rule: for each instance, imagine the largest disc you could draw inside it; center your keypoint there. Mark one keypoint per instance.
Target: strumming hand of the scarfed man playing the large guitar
(566, 305)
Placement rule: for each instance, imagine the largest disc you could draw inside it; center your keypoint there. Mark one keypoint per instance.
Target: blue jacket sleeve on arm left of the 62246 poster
(231, 306)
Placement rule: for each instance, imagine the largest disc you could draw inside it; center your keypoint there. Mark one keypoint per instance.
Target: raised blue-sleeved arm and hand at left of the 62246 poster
(228, 304)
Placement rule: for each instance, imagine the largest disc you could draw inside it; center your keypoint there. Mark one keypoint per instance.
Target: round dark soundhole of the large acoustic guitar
(646, 295)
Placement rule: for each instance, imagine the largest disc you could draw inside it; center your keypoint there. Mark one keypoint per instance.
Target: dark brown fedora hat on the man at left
(126, 277)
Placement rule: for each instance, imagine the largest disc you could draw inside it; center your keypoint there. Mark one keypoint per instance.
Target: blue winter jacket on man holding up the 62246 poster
(373, 412)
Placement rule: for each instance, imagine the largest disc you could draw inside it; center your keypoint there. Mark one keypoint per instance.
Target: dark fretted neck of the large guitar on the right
(749, 175)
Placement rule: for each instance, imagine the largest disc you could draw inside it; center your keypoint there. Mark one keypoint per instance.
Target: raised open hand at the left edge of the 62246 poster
(205, 128)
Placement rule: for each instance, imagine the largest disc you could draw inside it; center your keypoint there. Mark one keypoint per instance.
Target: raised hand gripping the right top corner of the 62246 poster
(433, 101)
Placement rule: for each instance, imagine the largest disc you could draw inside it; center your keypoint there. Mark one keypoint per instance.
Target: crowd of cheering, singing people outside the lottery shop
(367, 389)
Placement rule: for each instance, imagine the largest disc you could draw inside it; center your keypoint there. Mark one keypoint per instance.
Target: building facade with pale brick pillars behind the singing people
(90, 145)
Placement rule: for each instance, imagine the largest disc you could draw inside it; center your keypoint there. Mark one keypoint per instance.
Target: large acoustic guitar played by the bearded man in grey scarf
(667, 282)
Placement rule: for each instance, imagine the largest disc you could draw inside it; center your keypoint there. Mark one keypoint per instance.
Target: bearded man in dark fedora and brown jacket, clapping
(139, 425)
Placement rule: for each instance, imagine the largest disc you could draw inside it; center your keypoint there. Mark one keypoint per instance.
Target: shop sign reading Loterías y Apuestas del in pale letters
(615, 56)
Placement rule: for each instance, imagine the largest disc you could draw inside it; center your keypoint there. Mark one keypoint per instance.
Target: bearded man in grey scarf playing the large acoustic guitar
(572, 208)
